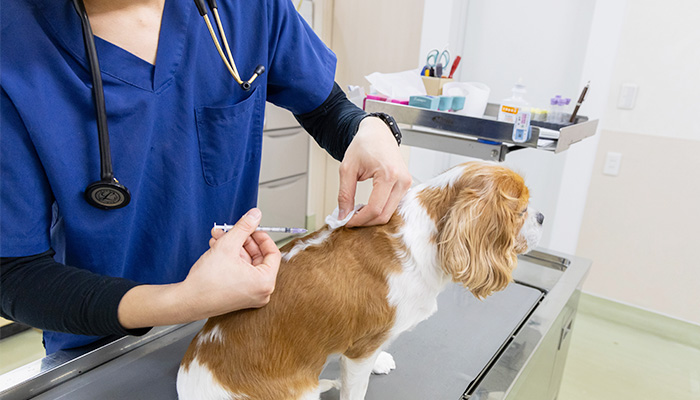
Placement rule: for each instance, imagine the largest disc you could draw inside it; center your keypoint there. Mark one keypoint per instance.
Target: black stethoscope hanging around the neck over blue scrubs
(108, 193)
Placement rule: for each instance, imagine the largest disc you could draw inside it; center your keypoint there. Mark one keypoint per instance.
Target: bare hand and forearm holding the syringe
(238, 271)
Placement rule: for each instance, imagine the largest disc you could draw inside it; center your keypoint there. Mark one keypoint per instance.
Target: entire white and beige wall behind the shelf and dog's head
(640, 227)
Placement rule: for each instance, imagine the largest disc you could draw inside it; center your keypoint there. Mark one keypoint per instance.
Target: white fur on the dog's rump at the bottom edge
(198, 383)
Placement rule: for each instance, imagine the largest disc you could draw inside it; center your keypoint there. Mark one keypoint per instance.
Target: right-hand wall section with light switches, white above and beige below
(640, 227)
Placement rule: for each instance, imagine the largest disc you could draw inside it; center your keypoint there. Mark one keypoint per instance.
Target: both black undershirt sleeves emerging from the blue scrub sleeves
(40, 292)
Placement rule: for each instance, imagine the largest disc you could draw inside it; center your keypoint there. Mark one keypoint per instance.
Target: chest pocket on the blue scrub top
(230, 138)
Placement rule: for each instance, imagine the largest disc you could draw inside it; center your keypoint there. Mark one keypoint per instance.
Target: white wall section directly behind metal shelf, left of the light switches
(546, 43)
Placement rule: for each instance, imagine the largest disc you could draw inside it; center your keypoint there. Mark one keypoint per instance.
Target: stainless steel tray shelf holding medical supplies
(485, 138)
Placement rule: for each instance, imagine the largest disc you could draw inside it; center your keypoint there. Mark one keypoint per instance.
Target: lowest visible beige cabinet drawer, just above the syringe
(283, 203)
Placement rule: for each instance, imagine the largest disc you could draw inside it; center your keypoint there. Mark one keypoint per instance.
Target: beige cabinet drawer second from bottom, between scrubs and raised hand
(285, 153)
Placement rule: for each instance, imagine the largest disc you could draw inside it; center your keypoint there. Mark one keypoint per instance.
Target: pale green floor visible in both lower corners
(607, 360)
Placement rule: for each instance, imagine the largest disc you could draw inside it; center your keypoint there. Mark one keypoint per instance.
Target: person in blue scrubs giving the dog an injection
(185, 140)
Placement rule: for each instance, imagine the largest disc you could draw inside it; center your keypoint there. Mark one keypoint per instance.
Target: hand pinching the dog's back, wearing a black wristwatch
(373, 153)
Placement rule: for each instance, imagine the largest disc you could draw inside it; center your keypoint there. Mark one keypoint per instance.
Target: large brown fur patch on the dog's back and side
(329, 298)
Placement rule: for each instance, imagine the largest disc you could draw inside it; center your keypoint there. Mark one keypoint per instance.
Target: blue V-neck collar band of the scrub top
(117, 62)
